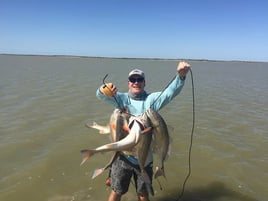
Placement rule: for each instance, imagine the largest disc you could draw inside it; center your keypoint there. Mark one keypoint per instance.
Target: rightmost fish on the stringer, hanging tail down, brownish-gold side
(161, 140)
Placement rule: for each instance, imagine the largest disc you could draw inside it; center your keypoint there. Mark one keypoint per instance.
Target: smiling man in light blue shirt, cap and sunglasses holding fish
(137, 101)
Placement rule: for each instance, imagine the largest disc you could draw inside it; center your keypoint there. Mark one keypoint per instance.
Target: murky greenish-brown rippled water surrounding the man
(45, 102)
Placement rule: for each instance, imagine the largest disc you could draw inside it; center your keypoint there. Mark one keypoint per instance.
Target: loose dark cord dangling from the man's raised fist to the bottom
(191, 141)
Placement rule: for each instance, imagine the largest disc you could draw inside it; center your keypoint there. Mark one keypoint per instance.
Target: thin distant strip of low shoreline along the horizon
(138, 58)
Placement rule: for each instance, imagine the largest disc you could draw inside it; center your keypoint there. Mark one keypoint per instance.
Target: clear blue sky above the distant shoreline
(200, 29)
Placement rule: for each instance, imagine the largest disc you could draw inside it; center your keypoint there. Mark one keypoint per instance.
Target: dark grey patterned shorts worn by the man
(121, 173)
